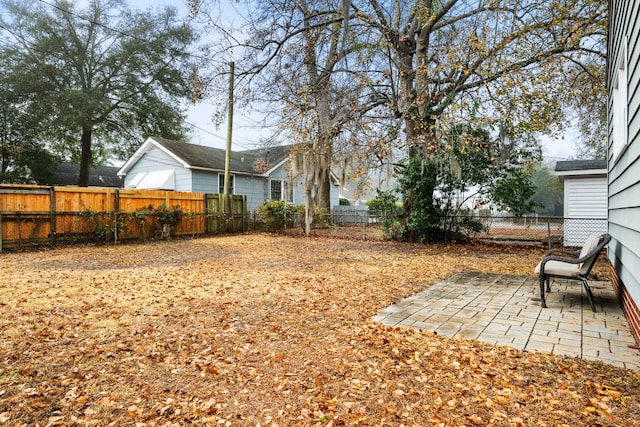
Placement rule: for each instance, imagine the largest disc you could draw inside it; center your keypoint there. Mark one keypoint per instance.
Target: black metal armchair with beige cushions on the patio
(576, 267)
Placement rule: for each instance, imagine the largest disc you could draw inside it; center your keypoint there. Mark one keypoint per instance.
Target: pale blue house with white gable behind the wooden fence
(260, 174)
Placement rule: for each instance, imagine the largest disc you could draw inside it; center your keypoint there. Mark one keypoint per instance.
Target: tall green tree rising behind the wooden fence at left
(99, 79)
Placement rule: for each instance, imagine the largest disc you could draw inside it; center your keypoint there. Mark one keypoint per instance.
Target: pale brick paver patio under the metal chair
(503, 309)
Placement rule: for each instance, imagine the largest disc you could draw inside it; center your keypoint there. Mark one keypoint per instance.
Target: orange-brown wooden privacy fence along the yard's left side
(32, 214)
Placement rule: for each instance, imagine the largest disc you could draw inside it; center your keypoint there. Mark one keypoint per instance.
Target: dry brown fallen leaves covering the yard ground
(268, 330)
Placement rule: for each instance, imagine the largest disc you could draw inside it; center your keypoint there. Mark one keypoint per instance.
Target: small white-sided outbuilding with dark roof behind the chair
(585, 198)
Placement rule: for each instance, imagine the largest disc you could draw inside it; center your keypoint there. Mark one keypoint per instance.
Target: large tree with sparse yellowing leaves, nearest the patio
(498, 63)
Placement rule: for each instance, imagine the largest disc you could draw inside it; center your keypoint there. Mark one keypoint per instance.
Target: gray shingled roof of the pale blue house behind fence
(252, 162)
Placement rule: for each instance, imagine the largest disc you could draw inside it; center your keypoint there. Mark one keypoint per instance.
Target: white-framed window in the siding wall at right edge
(620, 103)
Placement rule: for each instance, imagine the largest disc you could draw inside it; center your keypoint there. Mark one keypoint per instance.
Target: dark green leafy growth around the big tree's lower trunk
(473, 166)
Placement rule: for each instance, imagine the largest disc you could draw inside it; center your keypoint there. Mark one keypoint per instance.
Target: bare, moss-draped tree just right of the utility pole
(294, 65)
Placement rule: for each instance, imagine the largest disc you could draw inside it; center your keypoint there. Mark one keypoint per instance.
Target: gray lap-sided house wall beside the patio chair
(623, 82)
